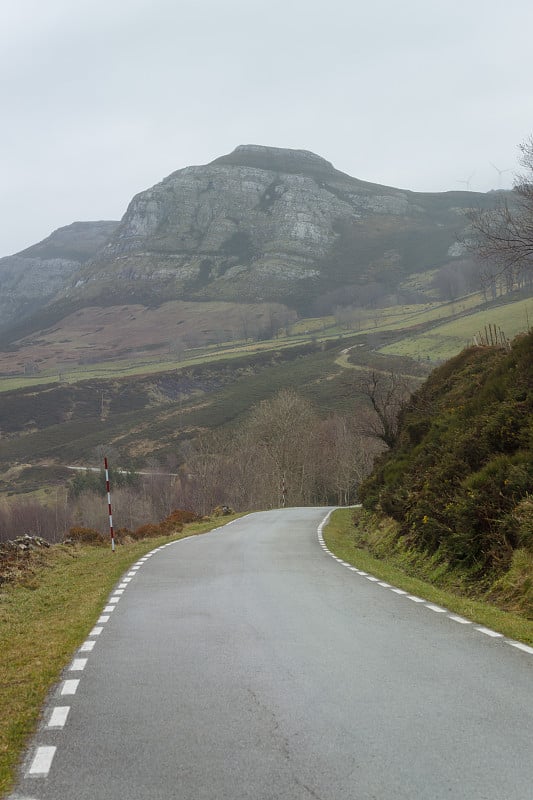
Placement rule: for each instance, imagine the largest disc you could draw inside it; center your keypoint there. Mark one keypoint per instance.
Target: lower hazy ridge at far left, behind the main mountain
(31, 278)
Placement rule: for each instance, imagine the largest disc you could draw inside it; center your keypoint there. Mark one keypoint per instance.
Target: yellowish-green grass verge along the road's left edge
(45, 617)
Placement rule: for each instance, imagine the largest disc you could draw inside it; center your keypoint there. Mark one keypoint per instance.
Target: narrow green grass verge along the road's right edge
(340, 536)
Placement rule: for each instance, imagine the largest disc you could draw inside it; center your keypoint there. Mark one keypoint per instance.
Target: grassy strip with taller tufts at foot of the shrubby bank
(416, 575)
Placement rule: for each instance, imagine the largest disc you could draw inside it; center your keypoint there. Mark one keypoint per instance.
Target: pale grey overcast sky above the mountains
(101, 99)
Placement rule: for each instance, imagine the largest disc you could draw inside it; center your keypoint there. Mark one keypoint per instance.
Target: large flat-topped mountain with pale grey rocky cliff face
(264, 223)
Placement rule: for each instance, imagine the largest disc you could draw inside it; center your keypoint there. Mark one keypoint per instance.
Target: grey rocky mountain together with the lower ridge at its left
(259, 225)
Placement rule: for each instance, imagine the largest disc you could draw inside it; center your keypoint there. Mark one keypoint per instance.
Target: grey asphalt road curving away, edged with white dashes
(247, 663)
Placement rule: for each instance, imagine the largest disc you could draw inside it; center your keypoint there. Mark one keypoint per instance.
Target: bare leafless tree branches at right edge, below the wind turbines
(503, 236)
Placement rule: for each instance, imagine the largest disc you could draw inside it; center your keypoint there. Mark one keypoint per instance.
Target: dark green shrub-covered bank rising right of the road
(459, 479)
